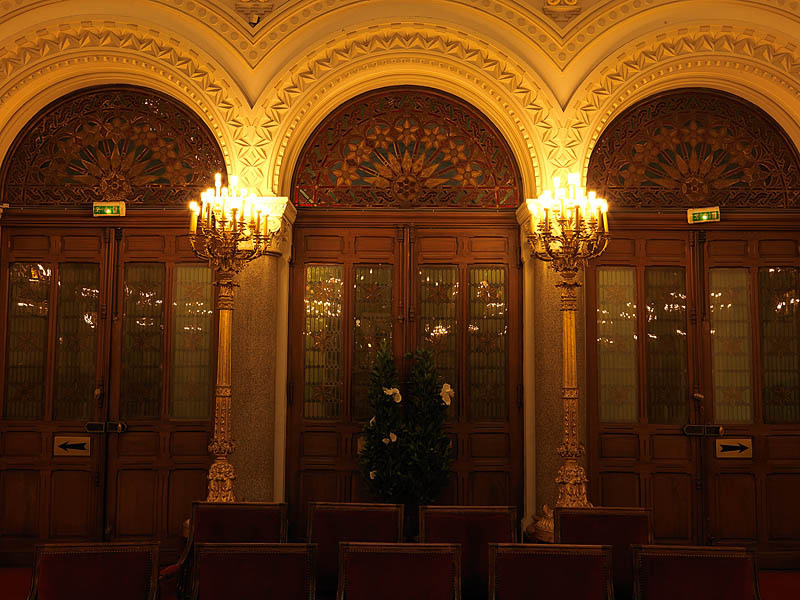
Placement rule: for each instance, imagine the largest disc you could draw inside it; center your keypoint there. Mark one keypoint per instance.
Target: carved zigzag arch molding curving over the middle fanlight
(372, 50)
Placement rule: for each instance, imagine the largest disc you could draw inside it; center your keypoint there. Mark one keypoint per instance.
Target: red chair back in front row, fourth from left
(563, 571)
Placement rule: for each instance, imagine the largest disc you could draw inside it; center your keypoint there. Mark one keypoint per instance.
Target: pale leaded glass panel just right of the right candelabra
(617, 375)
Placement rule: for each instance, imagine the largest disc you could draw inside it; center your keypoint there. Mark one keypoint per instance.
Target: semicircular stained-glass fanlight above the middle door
(407, 147)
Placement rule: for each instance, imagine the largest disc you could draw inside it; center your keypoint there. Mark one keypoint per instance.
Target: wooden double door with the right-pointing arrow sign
(694, 382)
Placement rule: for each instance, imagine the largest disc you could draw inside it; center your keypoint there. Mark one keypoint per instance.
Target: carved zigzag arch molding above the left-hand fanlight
(46, 53)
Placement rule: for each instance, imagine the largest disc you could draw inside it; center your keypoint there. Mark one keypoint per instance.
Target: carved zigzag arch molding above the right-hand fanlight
(778, 64)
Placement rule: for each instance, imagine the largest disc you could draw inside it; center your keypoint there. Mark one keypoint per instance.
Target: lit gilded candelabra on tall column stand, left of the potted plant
(230, 228)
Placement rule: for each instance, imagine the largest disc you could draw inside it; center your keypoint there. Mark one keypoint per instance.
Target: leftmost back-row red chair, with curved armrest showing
(231, 522)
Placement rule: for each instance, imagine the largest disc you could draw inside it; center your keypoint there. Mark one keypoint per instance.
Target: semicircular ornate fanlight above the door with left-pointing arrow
(111, 143)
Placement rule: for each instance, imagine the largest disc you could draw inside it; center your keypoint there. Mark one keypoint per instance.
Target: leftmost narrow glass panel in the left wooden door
(26, 352)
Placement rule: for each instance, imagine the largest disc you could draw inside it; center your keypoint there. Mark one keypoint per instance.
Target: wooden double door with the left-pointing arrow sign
(107, 354)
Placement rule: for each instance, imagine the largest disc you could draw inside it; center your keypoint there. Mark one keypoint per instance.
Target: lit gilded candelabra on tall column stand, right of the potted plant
(568, 227)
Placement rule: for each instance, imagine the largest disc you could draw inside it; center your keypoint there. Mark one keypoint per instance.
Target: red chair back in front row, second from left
(253, 571)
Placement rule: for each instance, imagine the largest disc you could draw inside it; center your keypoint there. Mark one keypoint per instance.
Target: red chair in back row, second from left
(332, 522)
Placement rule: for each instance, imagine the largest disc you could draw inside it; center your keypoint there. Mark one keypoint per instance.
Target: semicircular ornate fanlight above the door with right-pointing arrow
(695, 147)
